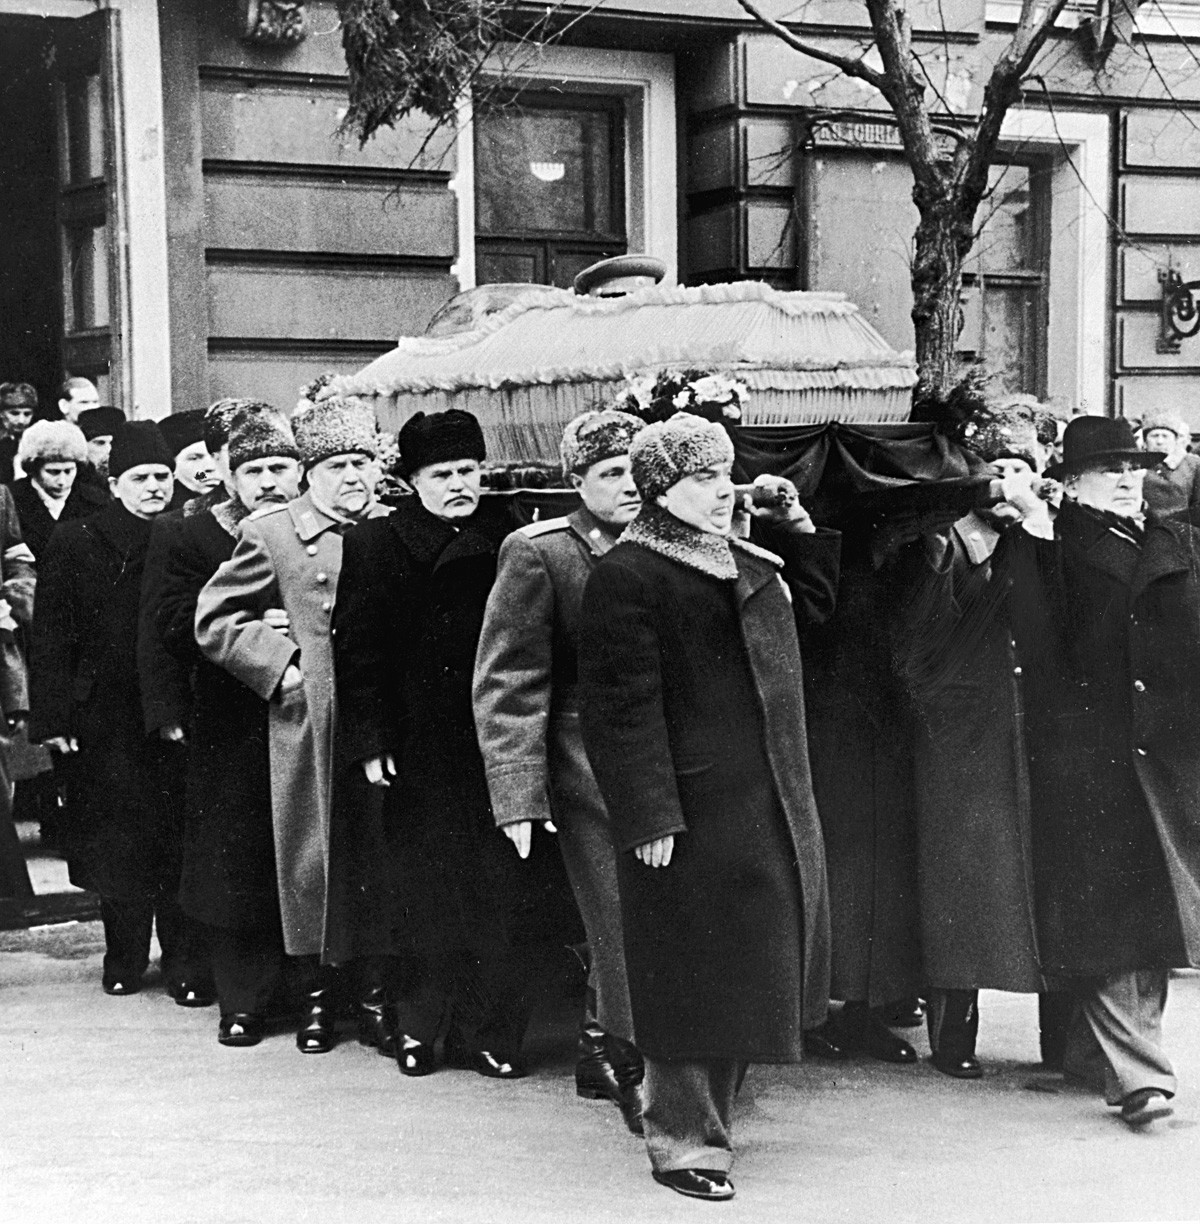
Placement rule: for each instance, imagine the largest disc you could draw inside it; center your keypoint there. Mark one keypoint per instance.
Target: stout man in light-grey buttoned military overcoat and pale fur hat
(266, 618)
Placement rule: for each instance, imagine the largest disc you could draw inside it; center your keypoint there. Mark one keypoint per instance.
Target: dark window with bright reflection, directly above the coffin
(549, 188)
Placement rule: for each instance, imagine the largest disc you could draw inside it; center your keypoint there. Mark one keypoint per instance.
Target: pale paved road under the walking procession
(128, 1110)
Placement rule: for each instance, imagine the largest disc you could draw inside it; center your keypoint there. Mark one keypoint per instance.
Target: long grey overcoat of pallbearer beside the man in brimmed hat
(974, 838)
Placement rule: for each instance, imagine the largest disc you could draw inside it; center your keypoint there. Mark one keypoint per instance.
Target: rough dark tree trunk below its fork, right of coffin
(943, 242)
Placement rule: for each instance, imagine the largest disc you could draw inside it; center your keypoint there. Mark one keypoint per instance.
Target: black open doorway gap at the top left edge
(31, 296)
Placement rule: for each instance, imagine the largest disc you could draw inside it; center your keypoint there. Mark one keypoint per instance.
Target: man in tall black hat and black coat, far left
(127, 839)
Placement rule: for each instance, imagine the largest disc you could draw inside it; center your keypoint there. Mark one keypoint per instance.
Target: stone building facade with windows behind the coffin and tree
(190, 222)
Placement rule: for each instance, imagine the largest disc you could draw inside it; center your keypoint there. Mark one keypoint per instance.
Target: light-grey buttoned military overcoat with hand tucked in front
(287, 558)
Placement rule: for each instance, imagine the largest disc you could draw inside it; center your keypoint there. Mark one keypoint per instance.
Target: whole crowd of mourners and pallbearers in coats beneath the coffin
(386, 762)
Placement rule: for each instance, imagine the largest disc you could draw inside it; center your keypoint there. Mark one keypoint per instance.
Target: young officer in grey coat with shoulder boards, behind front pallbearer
(527, 715)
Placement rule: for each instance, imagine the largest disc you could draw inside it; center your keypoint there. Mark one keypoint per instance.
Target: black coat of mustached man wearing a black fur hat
(407, 625)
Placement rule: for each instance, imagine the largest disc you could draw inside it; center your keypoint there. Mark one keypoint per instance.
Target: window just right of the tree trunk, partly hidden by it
(1007, 278)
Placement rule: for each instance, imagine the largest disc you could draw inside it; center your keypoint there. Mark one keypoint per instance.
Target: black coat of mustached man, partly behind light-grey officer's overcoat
(230, 855)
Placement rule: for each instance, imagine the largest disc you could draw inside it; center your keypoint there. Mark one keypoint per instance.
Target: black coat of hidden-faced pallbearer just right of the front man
(860, 741)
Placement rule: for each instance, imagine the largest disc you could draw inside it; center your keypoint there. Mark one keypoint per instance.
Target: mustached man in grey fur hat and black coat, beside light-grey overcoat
(230, 870)
